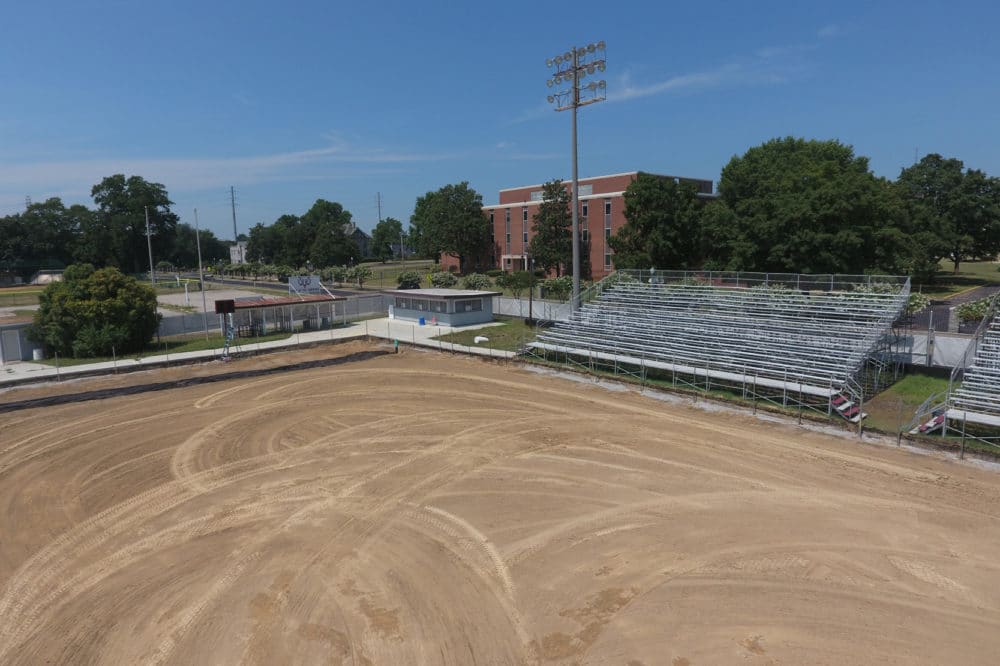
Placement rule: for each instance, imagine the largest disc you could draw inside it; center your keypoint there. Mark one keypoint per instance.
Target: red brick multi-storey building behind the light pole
(602, 213)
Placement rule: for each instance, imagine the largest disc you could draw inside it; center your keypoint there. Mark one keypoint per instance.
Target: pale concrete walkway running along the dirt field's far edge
(405, 332)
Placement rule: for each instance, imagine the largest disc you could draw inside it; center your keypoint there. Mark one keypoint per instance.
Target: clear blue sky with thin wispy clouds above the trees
(290, 102)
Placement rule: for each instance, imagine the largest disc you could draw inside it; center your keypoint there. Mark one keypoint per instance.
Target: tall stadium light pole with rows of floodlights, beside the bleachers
(570, 68)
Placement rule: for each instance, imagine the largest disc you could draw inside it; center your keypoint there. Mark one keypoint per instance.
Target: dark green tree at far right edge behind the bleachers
(953, 213)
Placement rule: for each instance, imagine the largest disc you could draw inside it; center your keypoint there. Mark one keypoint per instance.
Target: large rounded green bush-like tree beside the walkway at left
(95, 312)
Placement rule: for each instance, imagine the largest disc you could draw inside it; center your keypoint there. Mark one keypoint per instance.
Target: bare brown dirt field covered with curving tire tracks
(425, 509)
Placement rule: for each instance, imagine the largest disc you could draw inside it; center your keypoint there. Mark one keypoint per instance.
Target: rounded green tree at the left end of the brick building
(451, 221)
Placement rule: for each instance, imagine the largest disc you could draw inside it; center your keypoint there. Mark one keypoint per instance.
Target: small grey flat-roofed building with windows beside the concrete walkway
(450, 307)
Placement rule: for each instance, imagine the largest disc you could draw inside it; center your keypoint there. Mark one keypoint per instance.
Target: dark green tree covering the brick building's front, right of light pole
(663, 225)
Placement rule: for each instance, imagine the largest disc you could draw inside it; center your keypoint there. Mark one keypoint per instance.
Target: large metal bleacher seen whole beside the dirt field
(804, 334)
